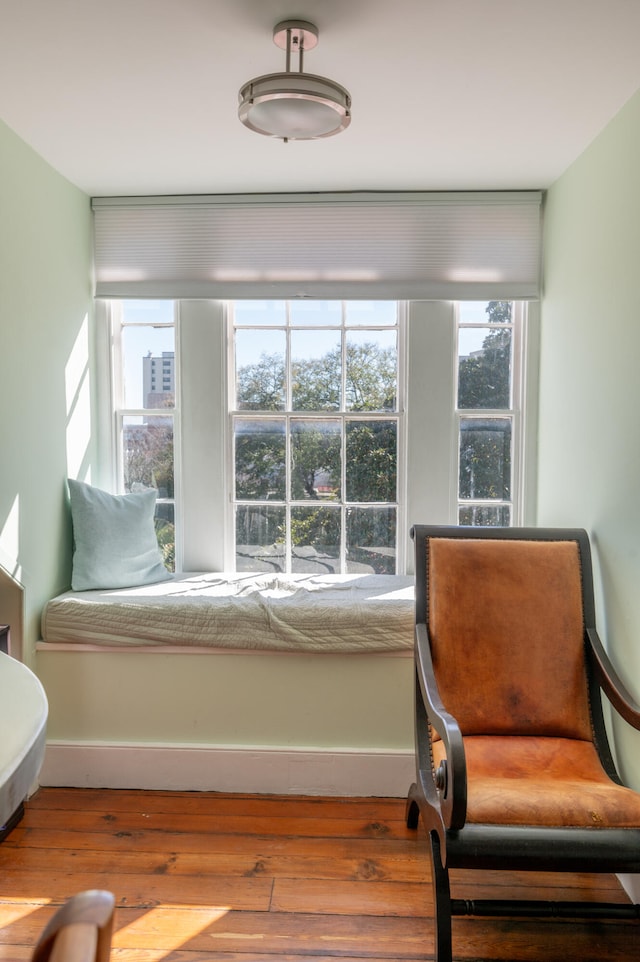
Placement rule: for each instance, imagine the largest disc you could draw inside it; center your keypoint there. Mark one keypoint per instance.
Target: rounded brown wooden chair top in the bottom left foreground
(80, 931)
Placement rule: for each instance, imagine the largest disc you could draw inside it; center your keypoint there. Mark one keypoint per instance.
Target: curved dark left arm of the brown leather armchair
(450, 778)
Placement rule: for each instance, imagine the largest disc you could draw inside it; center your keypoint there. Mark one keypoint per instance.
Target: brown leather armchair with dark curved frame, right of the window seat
(513, 767)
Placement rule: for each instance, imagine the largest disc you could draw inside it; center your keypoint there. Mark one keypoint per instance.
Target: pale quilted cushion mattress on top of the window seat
(241, 611)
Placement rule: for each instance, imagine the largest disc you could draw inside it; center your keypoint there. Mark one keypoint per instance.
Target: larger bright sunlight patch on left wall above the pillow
(77, 387)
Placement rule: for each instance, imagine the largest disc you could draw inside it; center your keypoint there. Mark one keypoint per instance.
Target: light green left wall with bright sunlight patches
(45, 300)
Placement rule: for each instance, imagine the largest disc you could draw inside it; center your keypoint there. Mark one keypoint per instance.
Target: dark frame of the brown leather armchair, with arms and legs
(440, 797)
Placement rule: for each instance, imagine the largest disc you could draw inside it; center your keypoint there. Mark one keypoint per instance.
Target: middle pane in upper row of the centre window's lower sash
(315, 460)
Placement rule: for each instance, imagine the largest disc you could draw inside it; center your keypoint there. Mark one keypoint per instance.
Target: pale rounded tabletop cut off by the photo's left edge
(23, 719)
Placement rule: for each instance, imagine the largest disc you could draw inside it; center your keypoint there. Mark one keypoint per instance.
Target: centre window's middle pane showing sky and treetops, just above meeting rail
(316, 362)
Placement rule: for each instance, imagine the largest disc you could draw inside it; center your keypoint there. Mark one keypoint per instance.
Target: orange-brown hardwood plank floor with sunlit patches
(229, 878)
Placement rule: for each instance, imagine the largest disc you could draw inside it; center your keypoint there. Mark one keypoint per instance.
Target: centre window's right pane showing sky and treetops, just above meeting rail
(372, 365)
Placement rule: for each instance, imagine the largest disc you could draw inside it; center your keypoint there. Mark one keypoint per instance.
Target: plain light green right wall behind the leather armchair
(589, 455)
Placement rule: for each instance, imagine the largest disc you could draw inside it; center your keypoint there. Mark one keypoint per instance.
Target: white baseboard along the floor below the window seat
(280, 771)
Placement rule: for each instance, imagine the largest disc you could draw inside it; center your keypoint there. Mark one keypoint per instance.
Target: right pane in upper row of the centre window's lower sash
(371, 462)
